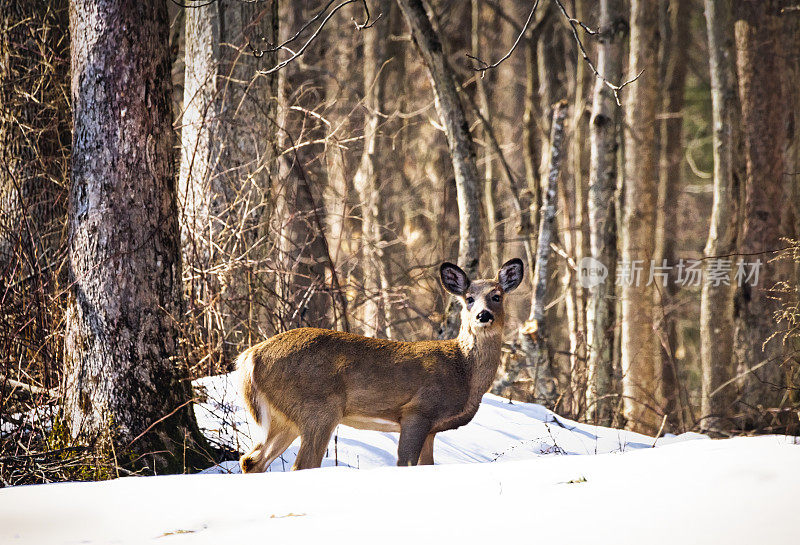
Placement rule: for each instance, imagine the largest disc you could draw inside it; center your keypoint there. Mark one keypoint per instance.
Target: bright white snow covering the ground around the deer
(543, 479)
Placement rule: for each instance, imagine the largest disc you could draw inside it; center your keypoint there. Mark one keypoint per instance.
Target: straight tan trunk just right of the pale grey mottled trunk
(640, 357)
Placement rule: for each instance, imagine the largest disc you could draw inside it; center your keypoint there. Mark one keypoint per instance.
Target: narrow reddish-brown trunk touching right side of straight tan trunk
(675, 36)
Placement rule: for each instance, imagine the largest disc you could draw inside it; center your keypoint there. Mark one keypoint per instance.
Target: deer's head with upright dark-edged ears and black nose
(482, 300)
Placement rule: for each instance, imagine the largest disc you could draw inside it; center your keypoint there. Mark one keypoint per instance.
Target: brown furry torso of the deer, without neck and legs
(333, 370)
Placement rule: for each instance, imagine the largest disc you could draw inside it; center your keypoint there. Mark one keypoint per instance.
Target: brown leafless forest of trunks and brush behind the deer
(181, 180)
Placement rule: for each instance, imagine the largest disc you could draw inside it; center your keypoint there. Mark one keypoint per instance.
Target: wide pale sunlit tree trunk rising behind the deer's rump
(227, 162)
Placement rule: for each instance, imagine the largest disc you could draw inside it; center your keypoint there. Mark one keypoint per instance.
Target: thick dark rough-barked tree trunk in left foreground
(123, 379)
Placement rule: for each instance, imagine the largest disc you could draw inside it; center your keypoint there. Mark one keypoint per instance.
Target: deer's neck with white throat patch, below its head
(481, 351)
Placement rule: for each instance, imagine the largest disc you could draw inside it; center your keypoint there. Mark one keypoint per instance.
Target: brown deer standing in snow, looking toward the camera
(306, 381)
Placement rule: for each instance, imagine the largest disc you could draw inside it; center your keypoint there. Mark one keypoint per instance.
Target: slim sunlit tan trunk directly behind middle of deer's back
(370, 177)
